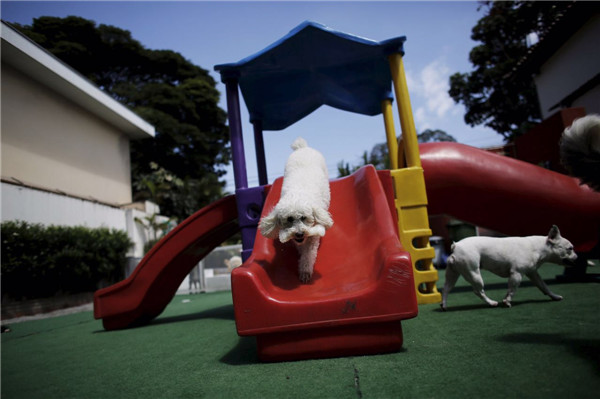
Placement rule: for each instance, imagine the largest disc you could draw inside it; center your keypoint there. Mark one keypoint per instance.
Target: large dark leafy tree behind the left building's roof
(179, 98)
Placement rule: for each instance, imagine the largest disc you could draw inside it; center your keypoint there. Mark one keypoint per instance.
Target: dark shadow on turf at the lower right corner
(588, 349)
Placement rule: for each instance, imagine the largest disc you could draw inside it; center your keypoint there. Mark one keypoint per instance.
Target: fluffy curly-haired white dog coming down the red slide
(302, 213)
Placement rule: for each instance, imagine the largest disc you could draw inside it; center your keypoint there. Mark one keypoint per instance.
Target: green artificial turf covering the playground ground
(536, 349)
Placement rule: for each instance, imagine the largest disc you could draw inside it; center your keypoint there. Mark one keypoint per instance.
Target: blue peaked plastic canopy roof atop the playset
(311, 66)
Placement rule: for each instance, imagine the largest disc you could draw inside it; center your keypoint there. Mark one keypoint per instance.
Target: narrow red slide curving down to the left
(144, 295)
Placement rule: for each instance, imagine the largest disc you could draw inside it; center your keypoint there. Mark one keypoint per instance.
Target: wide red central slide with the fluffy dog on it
(361, 289)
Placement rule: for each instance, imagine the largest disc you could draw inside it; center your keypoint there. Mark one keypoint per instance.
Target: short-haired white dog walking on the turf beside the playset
(507, 257)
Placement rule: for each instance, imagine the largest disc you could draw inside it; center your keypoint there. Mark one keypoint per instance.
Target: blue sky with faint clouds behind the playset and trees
(210, 33)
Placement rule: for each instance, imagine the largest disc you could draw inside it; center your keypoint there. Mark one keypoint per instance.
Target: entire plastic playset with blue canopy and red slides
(375, 264)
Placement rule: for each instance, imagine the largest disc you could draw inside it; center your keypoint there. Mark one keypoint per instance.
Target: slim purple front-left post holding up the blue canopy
(235, 131)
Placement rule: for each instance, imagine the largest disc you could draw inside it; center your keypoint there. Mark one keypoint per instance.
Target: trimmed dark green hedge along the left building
(41, 261)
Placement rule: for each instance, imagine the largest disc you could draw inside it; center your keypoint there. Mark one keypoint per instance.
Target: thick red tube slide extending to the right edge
(507, 195)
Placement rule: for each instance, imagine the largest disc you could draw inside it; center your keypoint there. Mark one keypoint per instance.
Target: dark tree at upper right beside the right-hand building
(491, 95)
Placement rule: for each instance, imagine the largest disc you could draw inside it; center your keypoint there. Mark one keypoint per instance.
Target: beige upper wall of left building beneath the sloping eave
(51, 142)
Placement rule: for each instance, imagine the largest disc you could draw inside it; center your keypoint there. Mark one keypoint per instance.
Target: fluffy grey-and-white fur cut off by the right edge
(580, 150)
